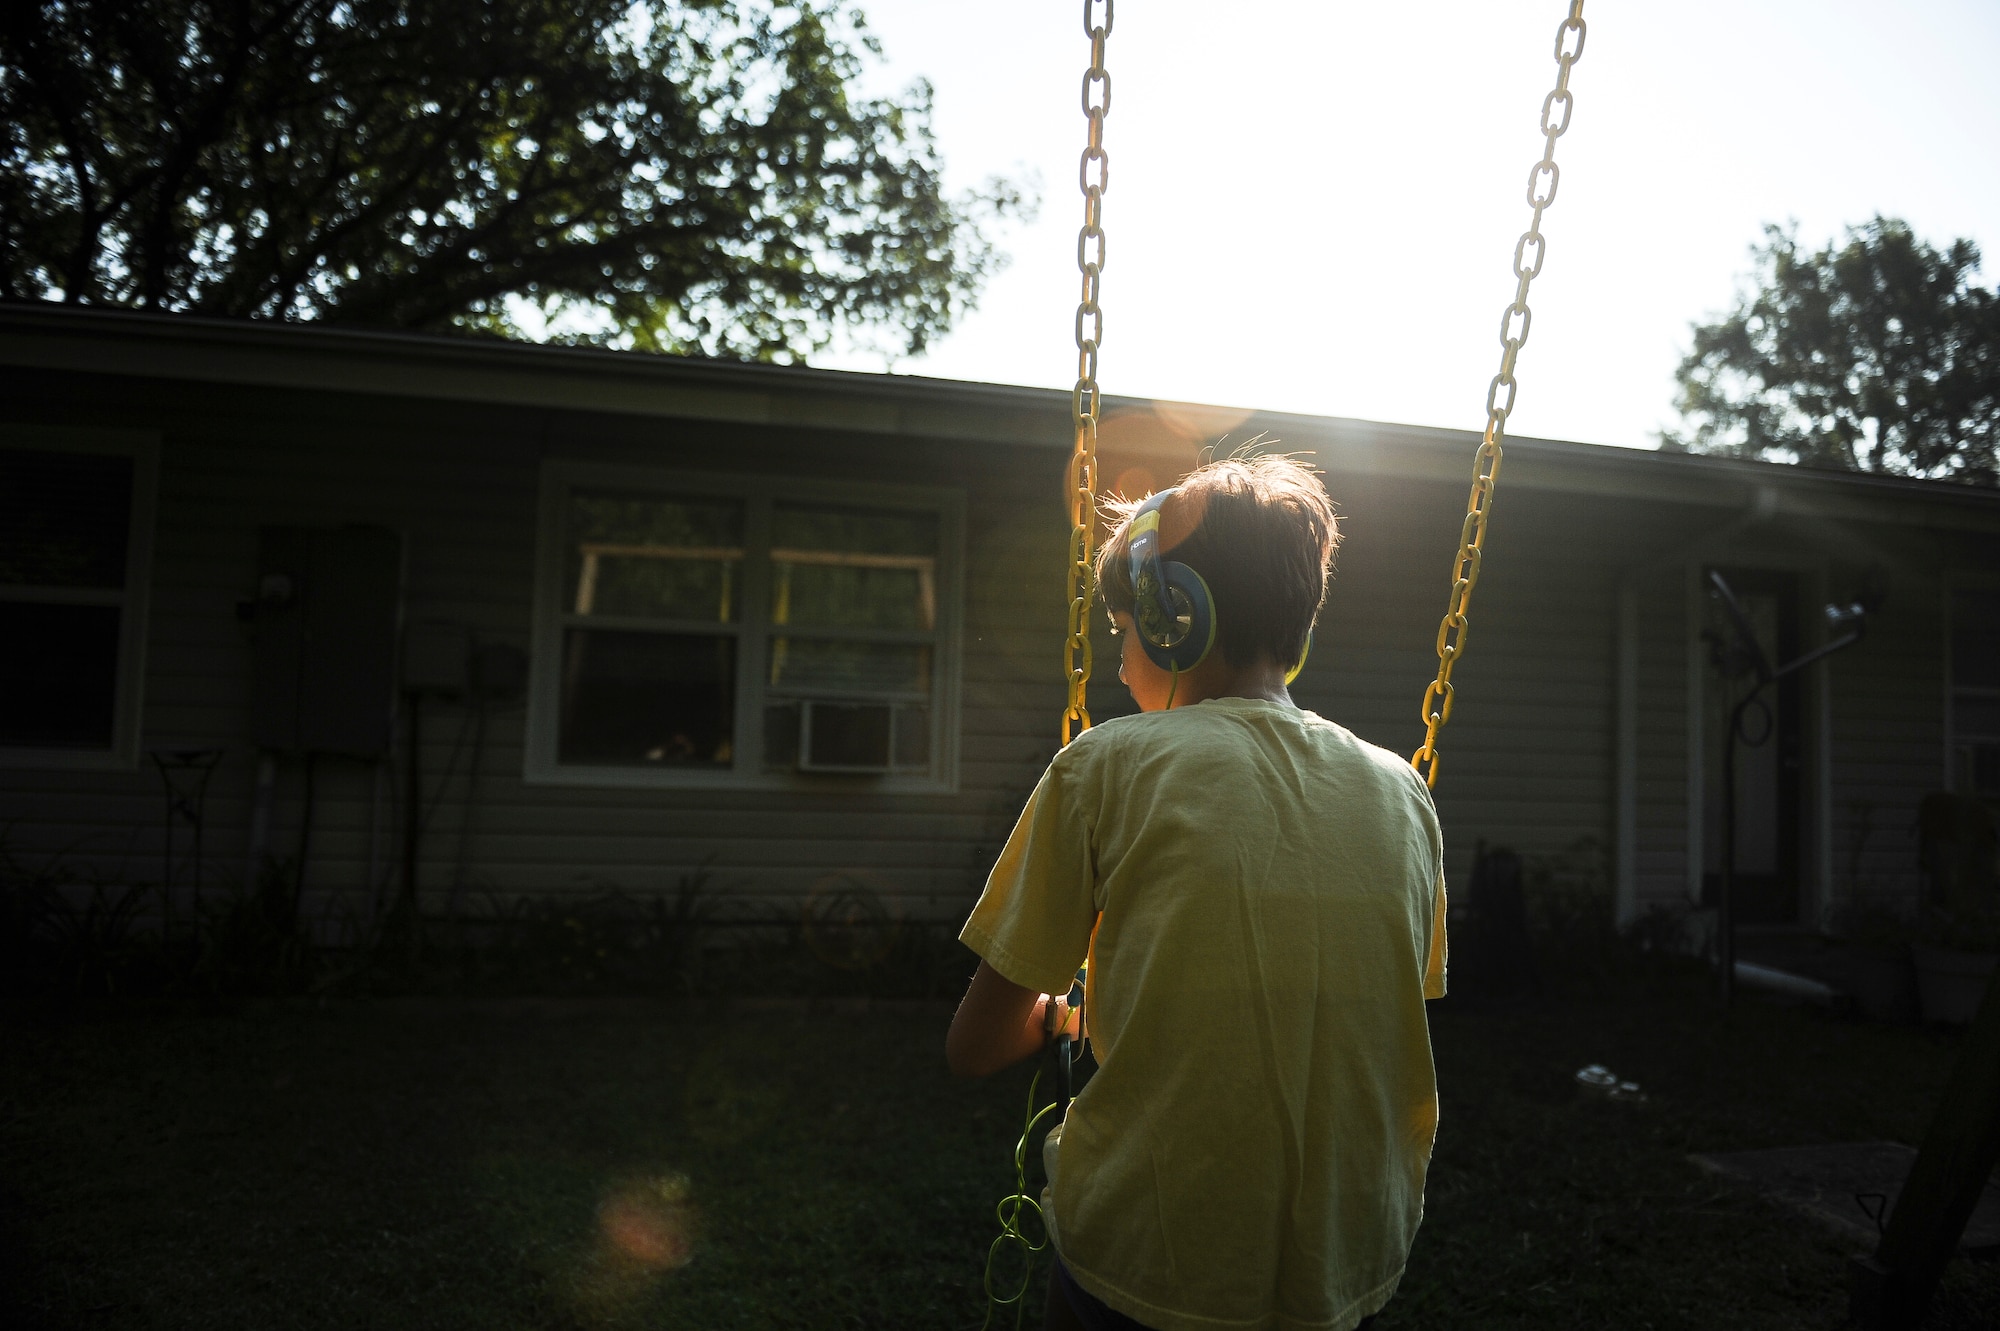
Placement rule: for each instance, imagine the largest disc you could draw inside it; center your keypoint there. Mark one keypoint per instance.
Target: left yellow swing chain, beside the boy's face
(1093, 175)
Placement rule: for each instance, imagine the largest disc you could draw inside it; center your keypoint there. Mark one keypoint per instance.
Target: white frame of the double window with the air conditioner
(753, 631)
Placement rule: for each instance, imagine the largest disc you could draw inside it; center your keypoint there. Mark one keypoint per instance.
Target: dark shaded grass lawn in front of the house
(605, 1164)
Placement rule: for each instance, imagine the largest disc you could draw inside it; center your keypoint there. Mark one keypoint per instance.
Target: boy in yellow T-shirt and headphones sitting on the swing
(1261, 902)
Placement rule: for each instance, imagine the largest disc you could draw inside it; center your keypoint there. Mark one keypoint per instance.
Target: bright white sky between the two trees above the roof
(1313, 205)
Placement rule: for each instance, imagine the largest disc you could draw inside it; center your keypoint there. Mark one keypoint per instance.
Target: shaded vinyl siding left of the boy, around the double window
(461, 487)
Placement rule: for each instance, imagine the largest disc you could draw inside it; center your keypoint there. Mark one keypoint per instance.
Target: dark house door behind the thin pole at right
(1769, 756)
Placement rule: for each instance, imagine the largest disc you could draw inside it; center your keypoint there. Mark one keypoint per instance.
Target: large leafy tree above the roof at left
(631, 173)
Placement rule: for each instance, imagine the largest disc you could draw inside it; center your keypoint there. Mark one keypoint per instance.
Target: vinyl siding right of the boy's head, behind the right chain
(1529, 748)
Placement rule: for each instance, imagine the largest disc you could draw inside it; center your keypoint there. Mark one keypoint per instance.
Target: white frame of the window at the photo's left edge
(133, 599)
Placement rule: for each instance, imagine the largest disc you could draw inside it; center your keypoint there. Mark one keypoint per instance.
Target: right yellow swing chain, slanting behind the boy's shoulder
(1529, 253)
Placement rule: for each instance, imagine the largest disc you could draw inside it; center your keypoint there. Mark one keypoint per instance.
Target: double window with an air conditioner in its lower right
(703, 631)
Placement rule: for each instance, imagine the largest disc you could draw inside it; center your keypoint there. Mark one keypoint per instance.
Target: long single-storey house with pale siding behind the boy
(509, 619)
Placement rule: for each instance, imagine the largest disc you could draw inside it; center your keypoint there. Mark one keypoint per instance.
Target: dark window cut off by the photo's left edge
(75, 531)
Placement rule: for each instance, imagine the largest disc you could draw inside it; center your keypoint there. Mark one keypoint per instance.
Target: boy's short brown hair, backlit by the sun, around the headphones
(1261, 533)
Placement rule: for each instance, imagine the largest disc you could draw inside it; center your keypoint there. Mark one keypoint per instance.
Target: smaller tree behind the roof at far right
(1875, 357)
